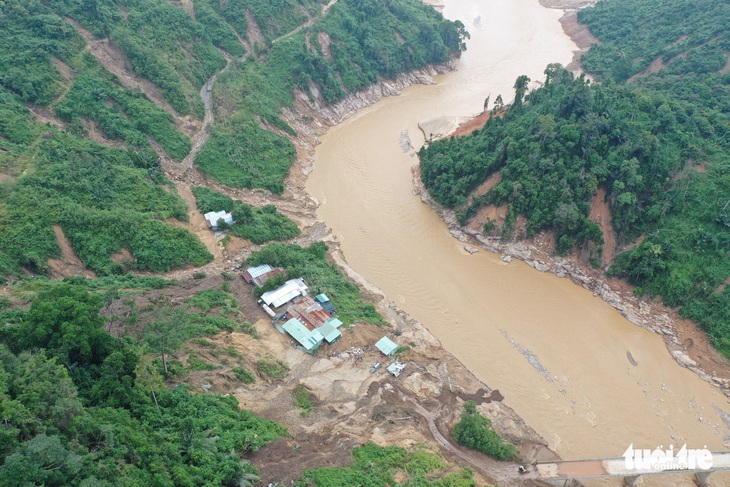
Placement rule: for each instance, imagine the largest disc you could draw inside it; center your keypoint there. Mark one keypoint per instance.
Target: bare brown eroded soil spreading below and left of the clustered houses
(352, 405)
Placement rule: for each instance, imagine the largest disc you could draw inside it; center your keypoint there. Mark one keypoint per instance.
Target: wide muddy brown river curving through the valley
(557, 353)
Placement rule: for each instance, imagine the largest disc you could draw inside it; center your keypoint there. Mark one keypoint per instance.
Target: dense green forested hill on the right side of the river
(658, 144)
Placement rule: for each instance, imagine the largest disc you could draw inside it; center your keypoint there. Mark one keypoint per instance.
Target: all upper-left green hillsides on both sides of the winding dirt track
(112, 197)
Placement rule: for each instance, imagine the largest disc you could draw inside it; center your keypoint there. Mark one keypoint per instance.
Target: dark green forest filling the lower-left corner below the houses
(81, 408)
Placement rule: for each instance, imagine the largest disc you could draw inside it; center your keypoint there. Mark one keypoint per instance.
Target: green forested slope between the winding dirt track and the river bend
(365, 40)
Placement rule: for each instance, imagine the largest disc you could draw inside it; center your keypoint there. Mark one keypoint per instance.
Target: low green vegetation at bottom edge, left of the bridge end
(374, 465)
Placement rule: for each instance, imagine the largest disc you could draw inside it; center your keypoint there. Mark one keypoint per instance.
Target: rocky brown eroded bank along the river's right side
(686, 342)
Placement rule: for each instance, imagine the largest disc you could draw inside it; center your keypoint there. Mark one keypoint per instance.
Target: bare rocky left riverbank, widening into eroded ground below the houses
(354, 399)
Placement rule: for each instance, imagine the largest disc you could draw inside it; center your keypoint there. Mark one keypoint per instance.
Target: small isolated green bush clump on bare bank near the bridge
(473, 431)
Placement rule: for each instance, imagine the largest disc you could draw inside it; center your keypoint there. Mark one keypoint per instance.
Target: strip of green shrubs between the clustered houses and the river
(321, 276)
